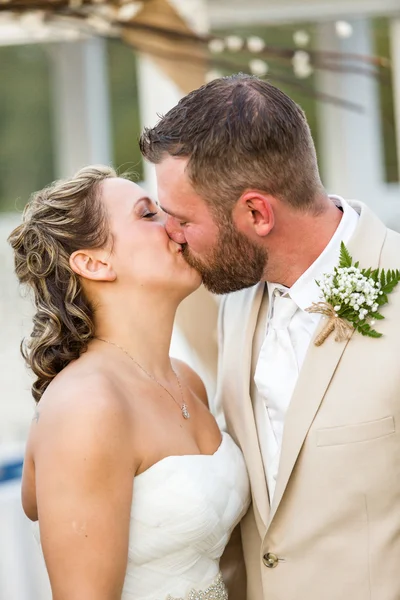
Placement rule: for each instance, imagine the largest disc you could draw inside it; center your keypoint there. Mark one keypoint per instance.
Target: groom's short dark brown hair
(239, 133)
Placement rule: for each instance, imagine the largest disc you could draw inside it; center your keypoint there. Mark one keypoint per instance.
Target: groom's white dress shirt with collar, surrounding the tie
(301, 329)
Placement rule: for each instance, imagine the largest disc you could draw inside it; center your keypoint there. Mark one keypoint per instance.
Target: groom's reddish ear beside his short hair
(254, 214)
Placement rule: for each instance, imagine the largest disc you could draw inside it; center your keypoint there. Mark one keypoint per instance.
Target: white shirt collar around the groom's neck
(305, 291)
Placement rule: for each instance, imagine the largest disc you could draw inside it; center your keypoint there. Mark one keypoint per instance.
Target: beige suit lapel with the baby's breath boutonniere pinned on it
(321, 362)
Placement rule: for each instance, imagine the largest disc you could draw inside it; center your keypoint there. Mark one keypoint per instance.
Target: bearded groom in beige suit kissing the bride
(319, 425)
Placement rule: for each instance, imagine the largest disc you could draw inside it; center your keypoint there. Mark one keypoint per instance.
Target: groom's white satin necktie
(278, 363)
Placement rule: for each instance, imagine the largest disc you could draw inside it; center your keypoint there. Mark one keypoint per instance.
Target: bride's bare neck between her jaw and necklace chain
(142, 327)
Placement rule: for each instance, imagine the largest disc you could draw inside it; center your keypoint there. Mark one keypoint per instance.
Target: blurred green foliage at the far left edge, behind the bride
(26, 149)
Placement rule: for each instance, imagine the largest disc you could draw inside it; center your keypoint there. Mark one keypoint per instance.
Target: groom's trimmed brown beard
(234, 264)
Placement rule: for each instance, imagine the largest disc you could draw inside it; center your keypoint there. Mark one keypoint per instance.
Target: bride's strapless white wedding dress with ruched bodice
(183, 512)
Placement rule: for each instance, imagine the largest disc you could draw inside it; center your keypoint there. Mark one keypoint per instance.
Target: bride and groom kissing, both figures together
(135, 491)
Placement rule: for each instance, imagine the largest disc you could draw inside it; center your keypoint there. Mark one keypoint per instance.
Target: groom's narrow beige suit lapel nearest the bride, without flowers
(242, 415)
